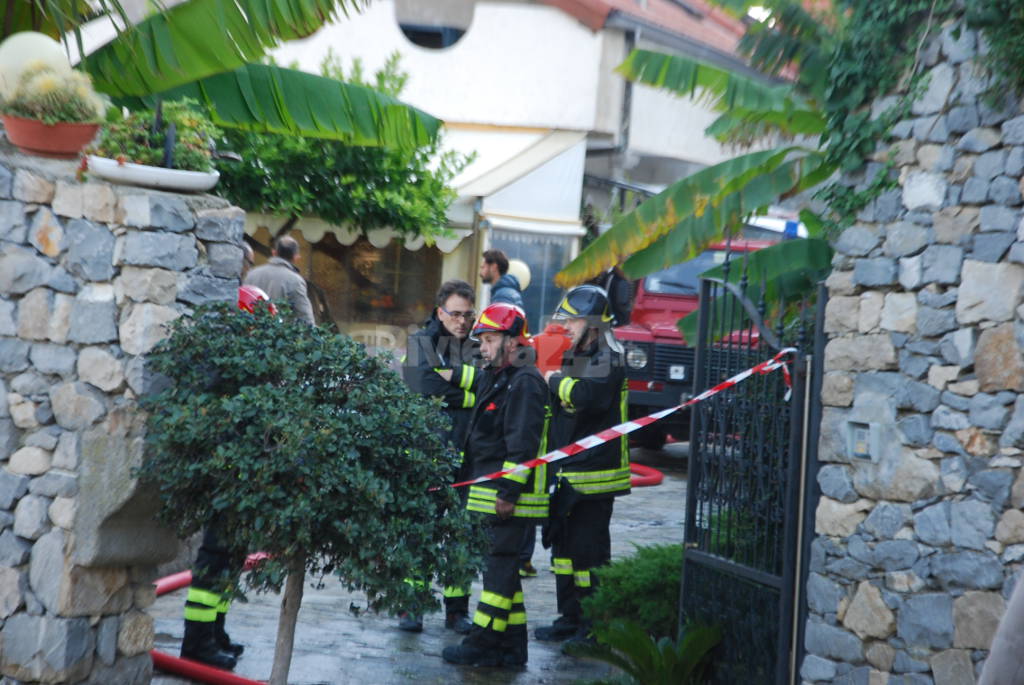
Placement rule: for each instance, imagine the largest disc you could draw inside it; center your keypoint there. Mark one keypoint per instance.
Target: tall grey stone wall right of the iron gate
(920, 544)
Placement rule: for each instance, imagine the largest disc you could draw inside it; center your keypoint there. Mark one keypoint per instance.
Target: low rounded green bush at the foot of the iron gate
(644, 588)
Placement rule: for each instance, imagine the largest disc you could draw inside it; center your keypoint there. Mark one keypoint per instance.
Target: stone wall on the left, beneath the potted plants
(90, 274)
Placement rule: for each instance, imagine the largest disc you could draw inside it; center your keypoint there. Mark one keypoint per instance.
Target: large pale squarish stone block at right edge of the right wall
(979, 281)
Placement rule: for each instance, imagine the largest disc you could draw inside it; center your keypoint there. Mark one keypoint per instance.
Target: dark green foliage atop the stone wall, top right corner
(1003, 24)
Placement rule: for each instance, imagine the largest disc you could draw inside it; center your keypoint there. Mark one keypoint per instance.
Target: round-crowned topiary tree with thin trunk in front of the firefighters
(303, 446)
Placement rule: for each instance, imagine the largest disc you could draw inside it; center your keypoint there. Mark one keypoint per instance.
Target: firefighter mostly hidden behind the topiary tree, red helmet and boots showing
(207, 603)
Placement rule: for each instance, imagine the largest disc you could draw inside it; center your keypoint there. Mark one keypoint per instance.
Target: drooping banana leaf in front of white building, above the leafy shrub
(273, 100)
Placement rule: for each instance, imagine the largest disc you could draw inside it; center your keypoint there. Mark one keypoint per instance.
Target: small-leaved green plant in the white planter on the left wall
(135, 140)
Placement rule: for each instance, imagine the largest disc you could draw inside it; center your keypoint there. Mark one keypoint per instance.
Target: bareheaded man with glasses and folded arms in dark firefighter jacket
(444, 344)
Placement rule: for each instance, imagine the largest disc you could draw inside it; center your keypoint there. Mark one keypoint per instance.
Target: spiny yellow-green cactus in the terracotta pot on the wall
(53, 98)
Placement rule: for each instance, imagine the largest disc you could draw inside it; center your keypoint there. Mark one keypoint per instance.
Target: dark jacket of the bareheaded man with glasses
(432, 349)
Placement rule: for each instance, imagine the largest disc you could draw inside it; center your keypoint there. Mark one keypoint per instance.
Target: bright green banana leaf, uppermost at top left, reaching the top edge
(201, 38)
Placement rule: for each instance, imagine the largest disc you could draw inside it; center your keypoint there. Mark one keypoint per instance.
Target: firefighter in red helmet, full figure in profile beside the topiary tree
(508, 427)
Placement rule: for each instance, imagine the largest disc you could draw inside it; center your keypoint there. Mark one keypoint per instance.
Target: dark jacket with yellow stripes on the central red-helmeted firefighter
(509, 426)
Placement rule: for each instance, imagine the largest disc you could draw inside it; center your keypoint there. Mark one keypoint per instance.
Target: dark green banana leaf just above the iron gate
(782, 274)
